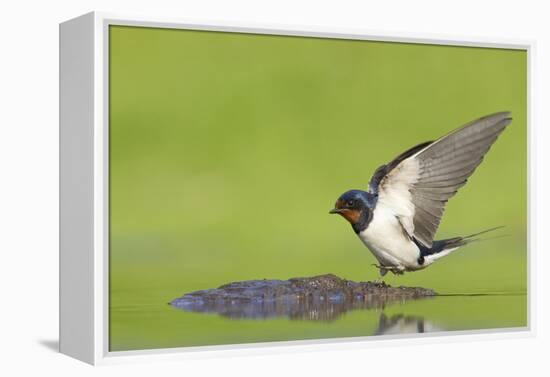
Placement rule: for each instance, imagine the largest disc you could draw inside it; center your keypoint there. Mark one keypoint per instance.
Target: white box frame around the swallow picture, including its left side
(84, 189)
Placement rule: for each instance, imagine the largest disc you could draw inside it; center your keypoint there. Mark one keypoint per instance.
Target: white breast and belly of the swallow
(388, 241)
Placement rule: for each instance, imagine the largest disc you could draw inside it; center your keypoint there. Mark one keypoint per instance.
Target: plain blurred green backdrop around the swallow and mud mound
(227, 150)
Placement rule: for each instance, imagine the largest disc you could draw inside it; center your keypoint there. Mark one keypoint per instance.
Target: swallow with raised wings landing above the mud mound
(398, 216)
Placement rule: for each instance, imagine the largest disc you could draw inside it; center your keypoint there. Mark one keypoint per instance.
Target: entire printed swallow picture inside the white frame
(271, 188)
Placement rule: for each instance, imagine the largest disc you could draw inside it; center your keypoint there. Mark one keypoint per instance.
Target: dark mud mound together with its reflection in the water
(320, 298)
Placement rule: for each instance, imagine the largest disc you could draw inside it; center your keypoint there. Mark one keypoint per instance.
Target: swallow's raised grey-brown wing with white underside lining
(416, 185)
